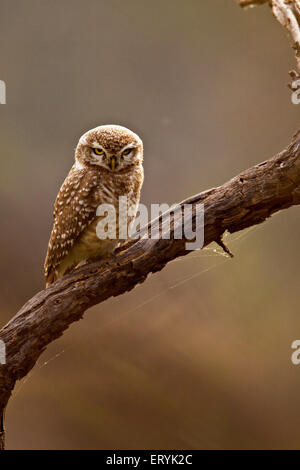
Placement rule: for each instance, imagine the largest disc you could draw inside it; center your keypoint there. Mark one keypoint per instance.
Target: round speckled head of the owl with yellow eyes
(112, 147)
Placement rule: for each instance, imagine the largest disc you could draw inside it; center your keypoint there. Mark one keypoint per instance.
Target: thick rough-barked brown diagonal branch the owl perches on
(246, 200)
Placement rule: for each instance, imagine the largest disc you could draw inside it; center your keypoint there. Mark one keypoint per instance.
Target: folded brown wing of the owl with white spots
(75, 208)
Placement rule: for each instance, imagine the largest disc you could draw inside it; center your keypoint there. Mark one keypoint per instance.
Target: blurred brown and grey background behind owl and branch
(198, 357)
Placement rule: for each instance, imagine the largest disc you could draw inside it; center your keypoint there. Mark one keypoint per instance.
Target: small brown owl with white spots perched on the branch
(108, 164)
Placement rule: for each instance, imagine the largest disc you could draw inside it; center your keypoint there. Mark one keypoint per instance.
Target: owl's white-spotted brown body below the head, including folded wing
(75, 214)
